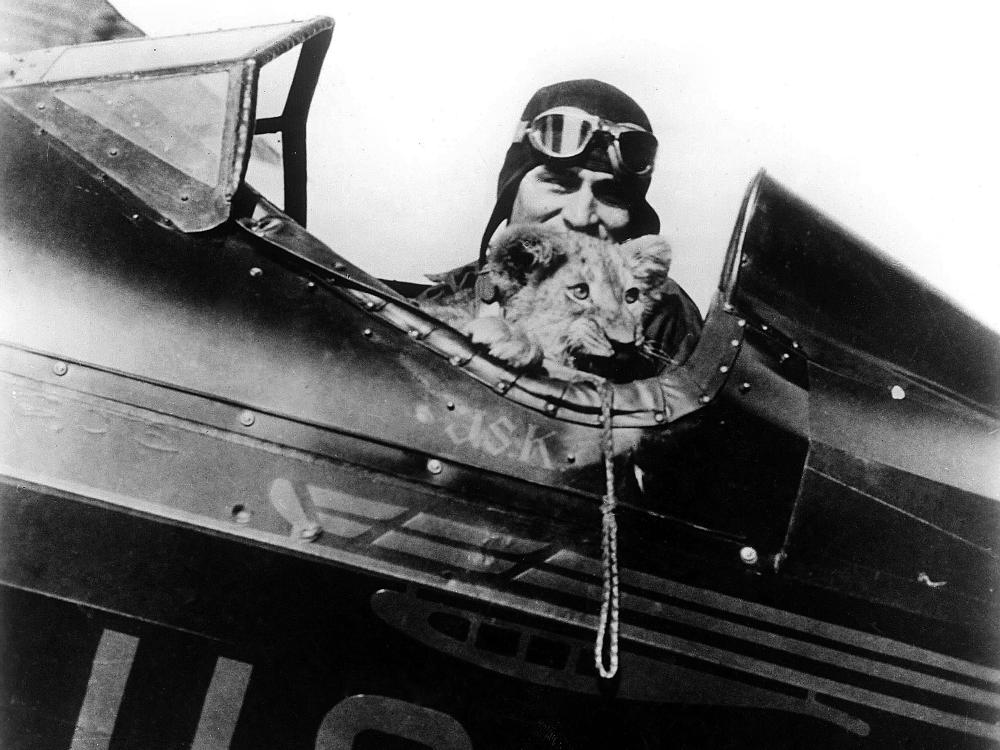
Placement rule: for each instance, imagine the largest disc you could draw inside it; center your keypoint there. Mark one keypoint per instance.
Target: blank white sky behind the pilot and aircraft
(884, 116)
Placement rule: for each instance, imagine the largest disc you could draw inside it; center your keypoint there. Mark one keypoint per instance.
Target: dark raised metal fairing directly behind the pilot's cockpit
(818, 284)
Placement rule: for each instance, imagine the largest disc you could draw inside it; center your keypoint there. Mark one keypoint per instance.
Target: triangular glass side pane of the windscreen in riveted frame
(159, 115)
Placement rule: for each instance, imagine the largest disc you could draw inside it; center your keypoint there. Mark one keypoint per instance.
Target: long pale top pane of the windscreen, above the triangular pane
(144, 54)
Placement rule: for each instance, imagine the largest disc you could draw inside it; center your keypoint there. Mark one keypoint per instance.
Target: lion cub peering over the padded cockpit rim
(565, 298)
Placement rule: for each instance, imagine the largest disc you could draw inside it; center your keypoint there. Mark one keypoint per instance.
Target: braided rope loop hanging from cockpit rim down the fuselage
(607, 627)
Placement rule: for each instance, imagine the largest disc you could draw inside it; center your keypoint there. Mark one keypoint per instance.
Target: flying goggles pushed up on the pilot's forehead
(568, 132)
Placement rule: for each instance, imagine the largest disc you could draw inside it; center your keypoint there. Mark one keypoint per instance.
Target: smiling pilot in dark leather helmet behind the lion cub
(582, 160)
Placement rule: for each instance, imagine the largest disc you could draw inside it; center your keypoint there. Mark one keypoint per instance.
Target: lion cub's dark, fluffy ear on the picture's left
(524, 254)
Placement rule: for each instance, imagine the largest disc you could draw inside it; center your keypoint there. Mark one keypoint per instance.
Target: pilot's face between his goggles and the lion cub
(572, 199)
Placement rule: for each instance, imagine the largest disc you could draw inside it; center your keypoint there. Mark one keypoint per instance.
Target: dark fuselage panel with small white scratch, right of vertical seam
(885, 535)
